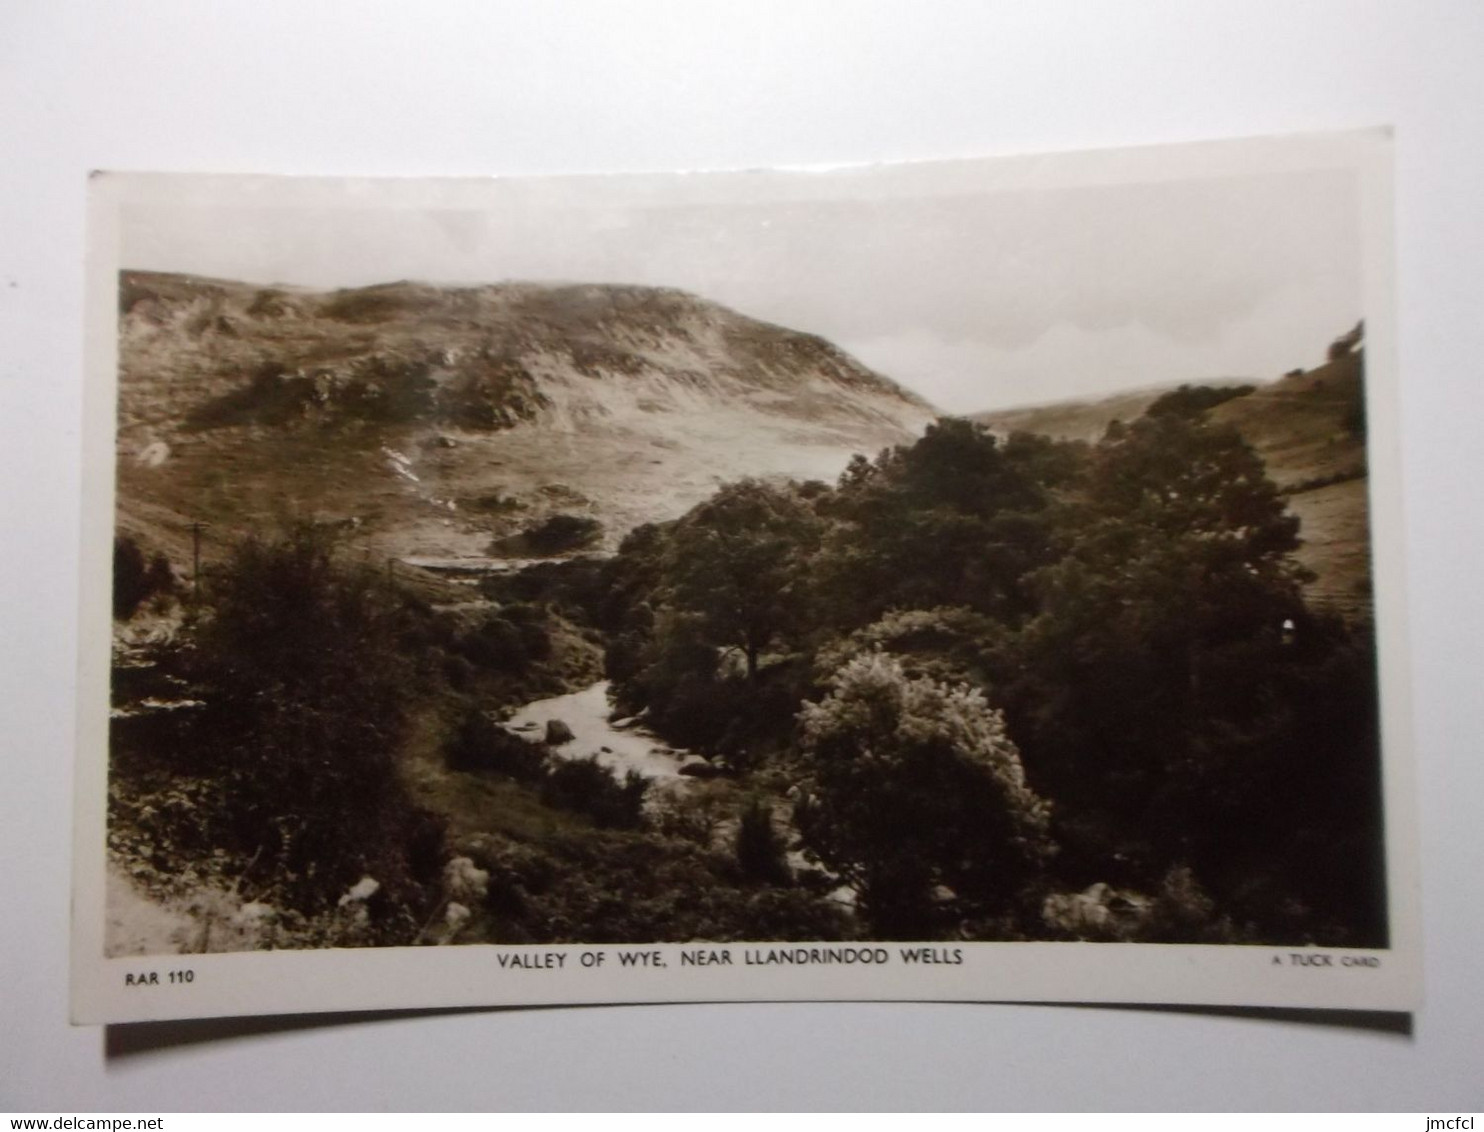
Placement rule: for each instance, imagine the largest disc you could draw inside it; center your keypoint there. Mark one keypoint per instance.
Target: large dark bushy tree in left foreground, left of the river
(308, 689)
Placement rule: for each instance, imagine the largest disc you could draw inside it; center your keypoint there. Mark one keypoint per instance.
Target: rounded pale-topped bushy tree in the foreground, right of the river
(916, 797)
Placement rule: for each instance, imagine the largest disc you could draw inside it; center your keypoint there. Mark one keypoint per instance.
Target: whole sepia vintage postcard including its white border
(970, 581)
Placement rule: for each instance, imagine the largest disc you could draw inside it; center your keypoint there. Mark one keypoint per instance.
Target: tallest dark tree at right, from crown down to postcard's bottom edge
(1175, 692)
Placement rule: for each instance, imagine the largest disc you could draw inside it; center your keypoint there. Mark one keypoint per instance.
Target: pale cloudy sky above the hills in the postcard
(974, 300)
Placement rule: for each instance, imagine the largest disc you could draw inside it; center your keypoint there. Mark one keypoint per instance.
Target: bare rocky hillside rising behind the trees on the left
(434, 421)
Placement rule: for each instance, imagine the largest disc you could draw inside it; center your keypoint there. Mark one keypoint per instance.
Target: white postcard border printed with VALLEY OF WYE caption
(139, 989)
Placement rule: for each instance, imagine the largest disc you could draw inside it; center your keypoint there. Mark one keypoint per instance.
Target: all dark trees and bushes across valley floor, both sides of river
(979, 688)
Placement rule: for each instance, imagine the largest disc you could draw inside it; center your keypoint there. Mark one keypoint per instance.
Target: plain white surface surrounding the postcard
(502, 88)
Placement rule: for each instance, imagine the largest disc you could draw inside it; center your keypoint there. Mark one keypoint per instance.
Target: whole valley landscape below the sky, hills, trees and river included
(594, 613)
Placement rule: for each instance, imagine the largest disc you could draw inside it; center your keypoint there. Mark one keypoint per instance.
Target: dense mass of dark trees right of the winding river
(1132, 608)
